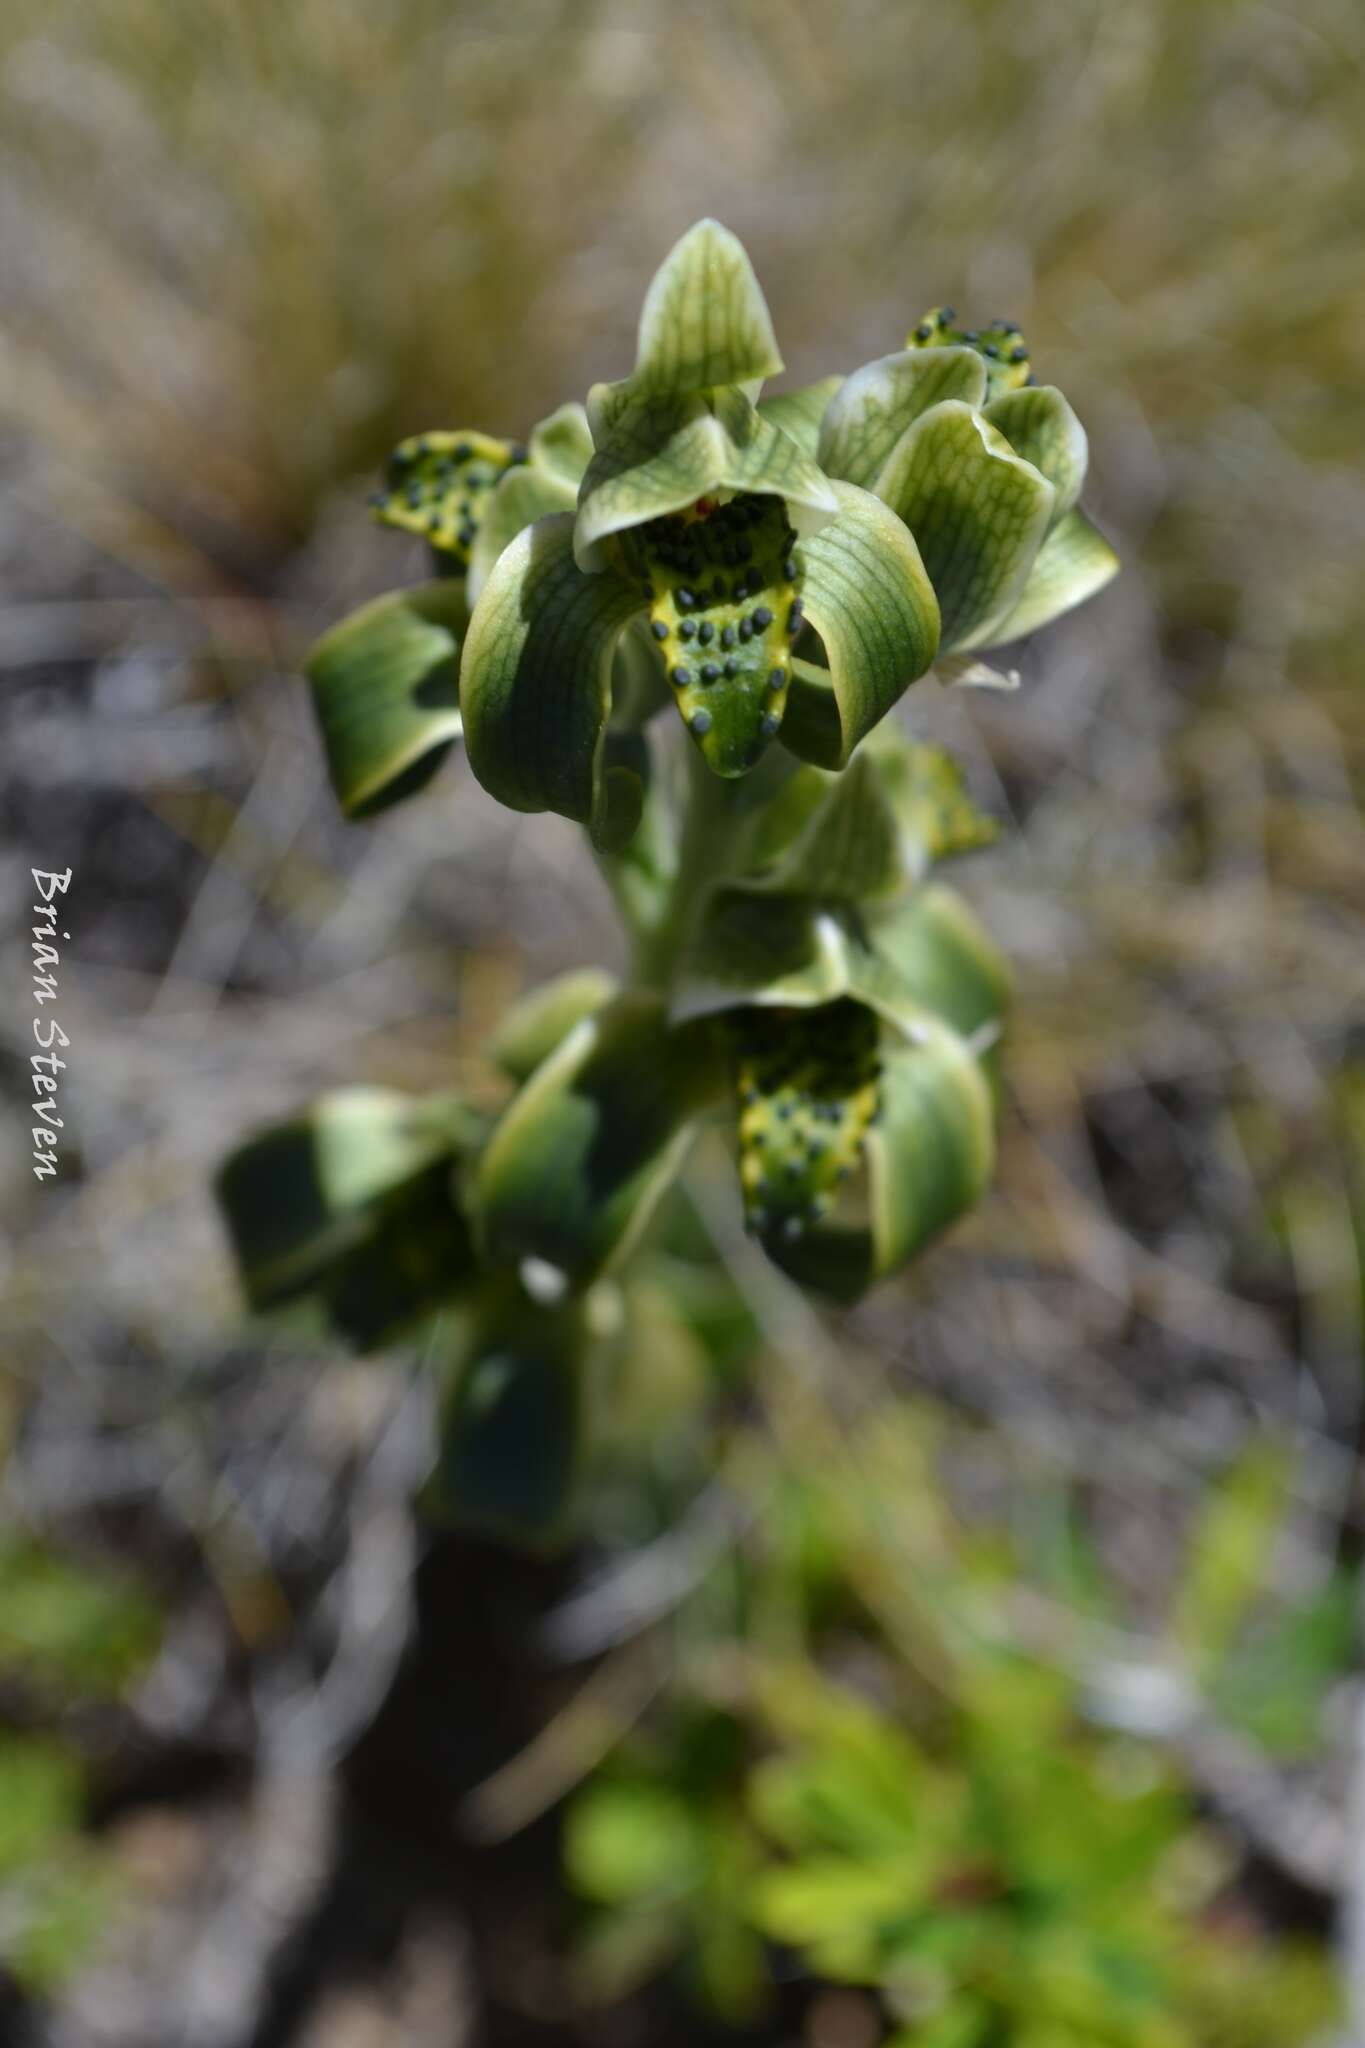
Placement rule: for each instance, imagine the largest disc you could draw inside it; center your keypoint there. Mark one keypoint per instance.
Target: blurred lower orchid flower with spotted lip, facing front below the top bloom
(846, 1025)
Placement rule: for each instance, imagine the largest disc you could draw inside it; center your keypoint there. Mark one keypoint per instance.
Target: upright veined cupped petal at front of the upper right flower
(977, 511)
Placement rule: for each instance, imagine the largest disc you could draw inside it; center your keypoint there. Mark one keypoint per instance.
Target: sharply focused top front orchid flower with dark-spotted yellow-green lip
(703, 521)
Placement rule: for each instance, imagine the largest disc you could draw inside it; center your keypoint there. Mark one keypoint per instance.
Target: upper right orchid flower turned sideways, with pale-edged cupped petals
(983, 466)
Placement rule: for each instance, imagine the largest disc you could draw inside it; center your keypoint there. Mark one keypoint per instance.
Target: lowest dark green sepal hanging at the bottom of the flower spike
(513, 1420)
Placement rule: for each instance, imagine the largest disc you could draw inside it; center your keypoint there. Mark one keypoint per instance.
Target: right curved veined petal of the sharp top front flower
(873, 605)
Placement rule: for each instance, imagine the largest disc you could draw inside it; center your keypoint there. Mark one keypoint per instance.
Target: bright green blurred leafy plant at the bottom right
(938, 1826)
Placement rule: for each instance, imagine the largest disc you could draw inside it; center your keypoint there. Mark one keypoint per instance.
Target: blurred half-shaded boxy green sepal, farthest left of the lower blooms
(355, 1207)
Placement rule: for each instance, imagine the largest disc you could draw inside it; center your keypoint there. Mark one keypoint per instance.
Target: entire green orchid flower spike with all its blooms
(781, 568)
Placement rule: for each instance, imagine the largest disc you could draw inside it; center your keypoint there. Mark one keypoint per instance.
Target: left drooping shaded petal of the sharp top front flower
(537, 683)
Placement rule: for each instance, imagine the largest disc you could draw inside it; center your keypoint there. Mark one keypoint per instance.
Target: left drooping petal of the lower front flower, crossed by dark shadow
(586, 1150)
